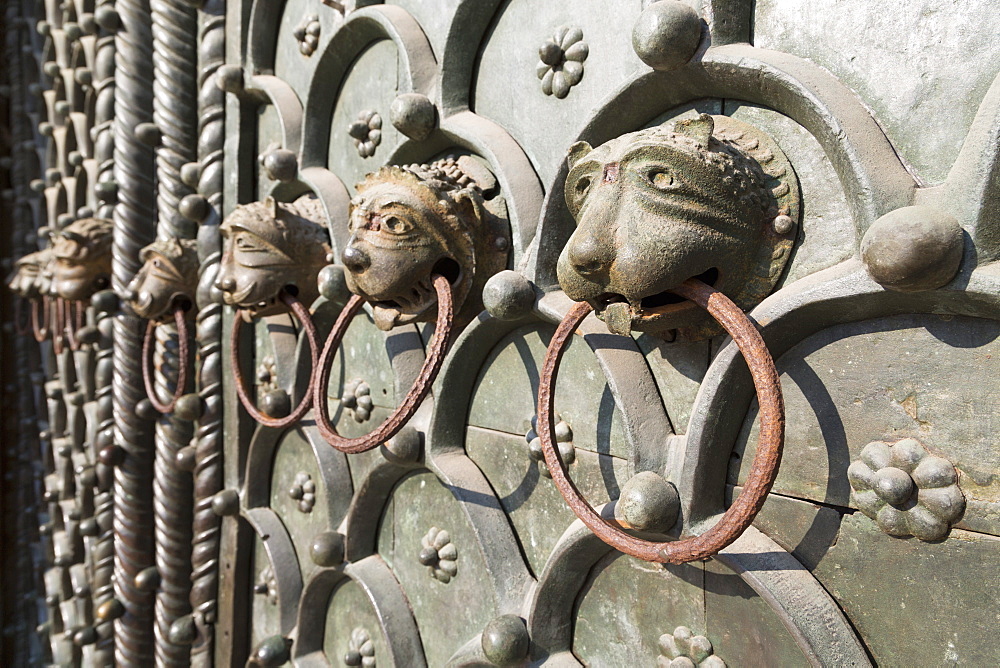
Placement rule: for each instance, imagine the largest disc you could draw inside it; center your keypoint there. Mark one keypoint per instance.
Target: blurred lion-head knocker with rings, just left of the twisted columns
(81, 254)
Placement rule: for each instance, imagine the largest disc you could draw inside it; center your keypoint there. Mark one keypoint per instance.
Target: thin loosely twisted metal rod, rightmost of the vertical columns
(208, 440)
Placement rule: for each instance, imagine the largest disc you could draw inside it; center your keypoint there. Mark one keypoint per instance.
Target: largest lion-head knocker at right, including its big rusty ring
(703, 215)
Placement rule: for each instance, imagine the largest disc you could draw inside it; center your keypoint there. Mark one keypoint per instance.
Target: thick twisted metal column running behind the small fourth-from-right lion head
(175, 113)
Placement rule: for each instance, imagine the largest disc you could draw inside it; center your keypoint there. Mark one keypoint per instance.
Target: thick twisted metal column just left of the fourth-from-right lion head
(134, 217)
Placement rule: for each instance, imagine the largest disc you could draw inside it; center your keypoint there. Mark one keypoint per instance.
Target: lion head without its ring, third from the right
(270, 247)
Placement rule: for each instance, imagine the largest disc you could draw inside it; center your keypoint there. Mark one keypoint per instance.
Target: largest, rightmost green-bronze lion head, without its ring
(713, 199)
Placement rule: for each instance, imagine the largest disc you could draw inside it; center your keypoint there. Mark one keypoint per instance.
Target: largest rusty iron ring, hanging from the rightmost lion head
(765, 465)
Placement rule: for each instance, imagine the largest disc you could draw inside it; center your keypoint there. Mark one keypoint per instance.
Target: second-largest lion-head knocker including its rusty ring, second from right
(424, 240)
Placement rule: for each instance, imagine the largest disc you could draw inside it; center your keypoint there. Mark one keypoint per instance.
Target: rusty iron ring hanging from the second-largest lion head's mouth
(406, 408)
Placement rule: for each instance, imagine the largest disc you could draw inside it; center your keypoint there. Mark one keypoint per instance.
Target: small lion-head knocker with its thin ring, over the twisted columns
(163, 291)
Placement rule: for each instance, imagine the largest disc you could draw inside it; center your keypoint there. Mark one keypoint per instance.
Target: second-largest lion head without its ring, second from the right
(409, 223)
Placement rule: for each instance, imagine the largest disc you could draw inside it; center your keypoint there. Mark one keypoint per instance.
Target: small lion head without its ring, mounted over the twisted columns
(168, 278)
